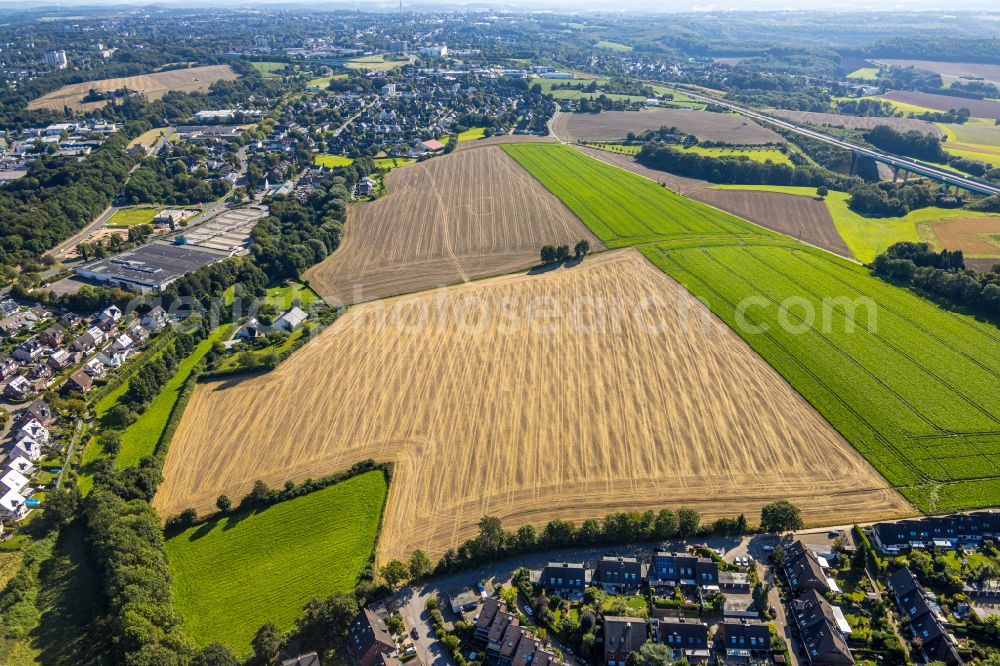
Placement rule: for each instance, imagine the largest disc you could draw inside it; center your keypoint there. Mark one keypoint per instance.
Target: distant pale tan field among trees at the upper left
(153, 86)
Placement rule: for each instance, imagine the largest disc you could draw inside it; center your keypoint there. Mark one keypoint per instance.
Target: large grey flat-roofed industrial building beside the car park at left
(151, 267)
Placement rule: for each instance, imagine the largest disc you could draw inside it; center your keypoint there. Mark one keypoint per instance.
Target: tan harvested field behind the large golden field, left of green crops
(449, 219)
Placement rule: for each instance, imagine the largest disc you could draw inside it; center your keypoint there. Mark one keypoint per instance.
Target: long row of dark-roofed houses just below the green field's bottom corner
(939, 531)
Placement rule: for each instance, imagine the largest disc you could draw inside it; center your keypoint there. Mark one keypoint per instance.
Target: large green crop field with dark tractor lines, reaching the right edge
(911, 386)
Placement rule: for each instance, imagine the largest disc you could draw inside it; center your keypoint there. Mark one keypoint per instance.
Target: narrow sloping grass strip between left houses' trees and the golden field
(141, 438)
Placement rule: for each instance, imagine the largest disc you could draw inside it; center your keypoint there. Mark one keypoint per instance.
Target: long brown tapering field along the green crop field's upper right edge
(799, 217)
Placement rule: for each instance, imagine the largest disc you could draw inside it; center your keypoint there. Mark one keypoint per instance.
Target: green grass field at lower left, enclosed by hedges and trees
(232, 574)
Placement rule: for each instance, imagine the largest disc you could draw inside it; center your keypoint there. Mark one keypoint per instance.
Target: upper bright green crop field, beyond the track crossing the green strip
(621, 207)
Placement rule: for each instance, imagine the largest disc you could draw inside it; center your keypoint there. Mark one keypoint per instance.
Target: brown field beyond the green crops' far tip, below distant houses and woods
(707, 126)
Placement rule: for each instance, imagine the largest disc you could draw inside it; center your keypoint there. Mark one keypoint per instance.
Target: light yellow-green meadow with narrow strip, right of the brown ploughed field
(867, 237)
